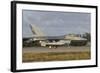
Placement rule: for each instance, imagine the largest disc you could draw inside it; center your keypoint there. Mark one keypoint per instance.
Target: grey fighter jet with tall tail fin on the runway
(54, 41)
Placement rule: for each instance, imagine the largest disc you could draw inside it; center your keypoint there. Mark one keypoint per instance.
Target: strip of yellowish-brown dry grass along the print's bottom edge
(54, 56)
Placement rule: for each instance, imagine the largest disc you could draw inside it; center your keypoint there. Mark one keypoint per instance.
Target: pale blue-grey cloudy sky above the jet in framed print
(55, 23)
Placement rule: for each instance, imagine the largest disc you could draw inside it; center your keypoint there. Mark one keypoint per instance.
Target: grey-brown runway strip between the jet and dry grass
(58, 49)
